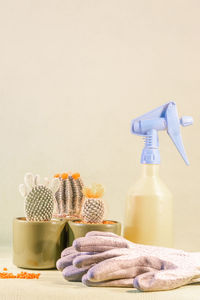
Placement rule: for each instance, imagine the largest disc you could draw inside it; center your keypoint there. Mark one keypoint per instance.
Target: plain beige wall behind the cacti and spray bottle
(72, 76)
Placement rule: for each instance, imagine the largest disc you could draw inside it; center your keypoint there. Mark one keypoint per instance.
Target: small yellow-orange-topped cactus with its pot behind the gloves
(92, 215)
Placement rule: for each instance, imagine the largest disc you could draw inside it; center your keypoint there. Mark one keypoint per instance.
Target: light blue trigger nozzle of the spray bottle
(166, 118)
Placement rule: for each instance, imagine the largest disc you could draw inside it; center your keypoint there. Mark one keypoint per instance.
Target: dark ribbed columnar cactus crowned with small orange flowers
(69, 198)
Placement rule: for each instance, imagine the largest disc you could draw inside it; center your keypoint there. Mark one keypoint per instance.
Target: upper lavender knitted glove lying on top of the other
(147, 268)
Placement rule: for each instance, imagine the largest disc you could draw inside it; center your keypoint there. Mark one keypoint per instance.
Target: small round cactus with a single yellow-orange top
(93, 207)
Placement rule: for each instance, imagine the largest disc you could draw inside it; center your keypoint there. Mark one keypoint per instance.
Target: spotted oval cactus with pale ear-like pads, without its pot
(39, 199)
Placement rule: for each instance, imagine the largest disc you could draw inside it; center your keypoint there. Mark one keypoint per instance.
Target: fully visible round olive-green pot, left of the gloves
(38, 245)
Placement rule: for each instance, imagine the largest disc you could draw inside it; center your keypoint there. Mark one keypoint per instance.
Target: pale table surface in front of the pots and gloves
(52, 286)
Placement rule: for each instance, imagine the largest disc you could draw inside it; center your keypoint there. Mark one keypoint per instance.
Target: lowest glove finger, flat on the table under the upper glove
(125, 282)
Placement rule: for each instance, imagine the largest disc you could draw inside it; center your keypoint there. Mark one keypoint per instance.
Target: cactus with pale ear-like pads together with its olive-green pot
(37, 238)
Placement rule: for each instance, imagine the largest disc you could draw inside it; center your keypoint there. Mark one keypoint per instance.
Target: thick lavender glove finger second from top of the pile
(98, 244)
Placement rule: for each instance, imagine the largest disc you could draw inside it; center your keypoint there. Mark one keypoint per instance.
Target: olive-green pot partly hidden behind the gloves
(77, 229)
